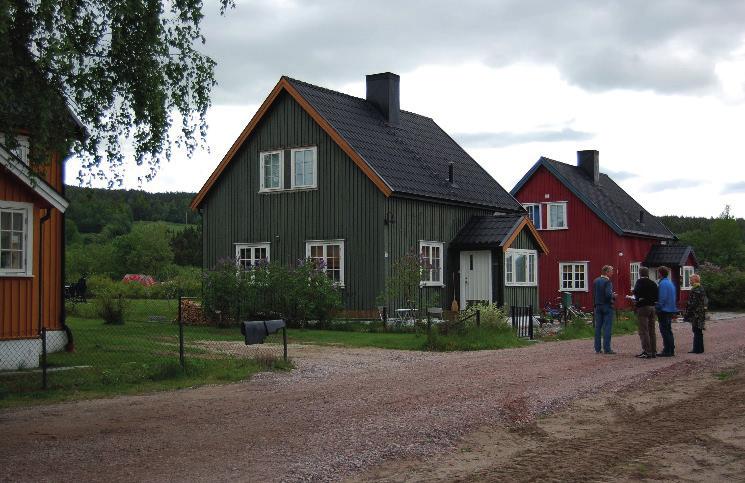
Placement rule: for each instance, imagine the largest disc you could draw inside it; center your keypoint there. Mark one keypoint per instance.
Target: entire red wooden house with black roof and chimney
(588, 221)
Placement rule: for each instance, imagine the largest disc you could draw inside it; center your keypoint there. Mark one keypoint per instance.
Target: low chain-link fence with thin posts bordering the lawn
(153, 342)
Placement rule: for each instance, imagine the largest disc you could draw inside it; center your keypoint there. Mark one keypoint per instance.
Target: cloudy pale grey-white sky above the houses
(658, 87)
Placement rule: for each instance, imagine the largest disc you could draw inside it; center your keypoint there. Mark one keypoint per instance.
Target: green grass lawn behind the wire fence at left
(135, 357)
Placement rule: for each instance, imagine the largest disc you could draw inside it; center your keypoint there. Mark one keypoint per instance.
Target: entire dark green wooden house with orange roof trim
(360, 183)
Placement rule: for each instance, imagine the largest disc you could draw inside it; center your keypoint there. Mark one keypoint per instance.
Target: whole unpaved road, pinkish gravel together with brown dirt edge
(557, 409)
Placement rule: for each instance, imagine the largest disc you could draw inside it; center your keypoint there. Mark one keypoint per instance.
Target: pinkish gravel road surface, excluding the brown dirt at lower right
(341, 411)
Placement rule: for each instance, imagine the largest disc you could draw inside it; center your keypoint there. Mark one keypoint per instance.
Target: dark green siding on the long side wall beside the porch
(419, 220)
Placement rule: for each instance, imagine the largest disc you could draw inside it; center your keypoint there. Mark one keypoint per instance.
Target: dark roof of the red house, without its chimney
(608, 200)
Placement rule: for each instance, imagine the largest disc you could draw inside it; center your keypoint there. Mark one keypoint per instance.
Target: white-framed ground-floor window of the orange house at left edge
(16, 223)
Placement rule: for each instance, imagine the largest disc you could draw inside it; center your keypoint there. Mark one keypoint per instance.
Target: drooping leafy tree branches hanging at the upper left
(130, 68)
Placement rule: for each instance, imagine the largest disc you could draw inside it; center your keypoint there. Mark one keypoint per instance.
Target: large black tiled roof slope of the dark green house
(412, 157)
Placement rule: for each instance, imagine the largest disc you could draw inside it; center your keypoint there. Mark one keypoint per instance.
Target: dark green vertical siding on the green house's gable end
(346, 205)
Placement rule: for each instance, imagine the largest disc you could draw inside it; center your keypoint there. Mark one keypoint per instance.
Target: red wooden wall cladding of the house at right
(587, 238)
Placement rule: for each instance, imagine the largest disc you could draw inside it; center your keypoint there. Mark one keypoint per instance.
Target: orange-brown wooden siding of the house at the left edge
(19, 295)
